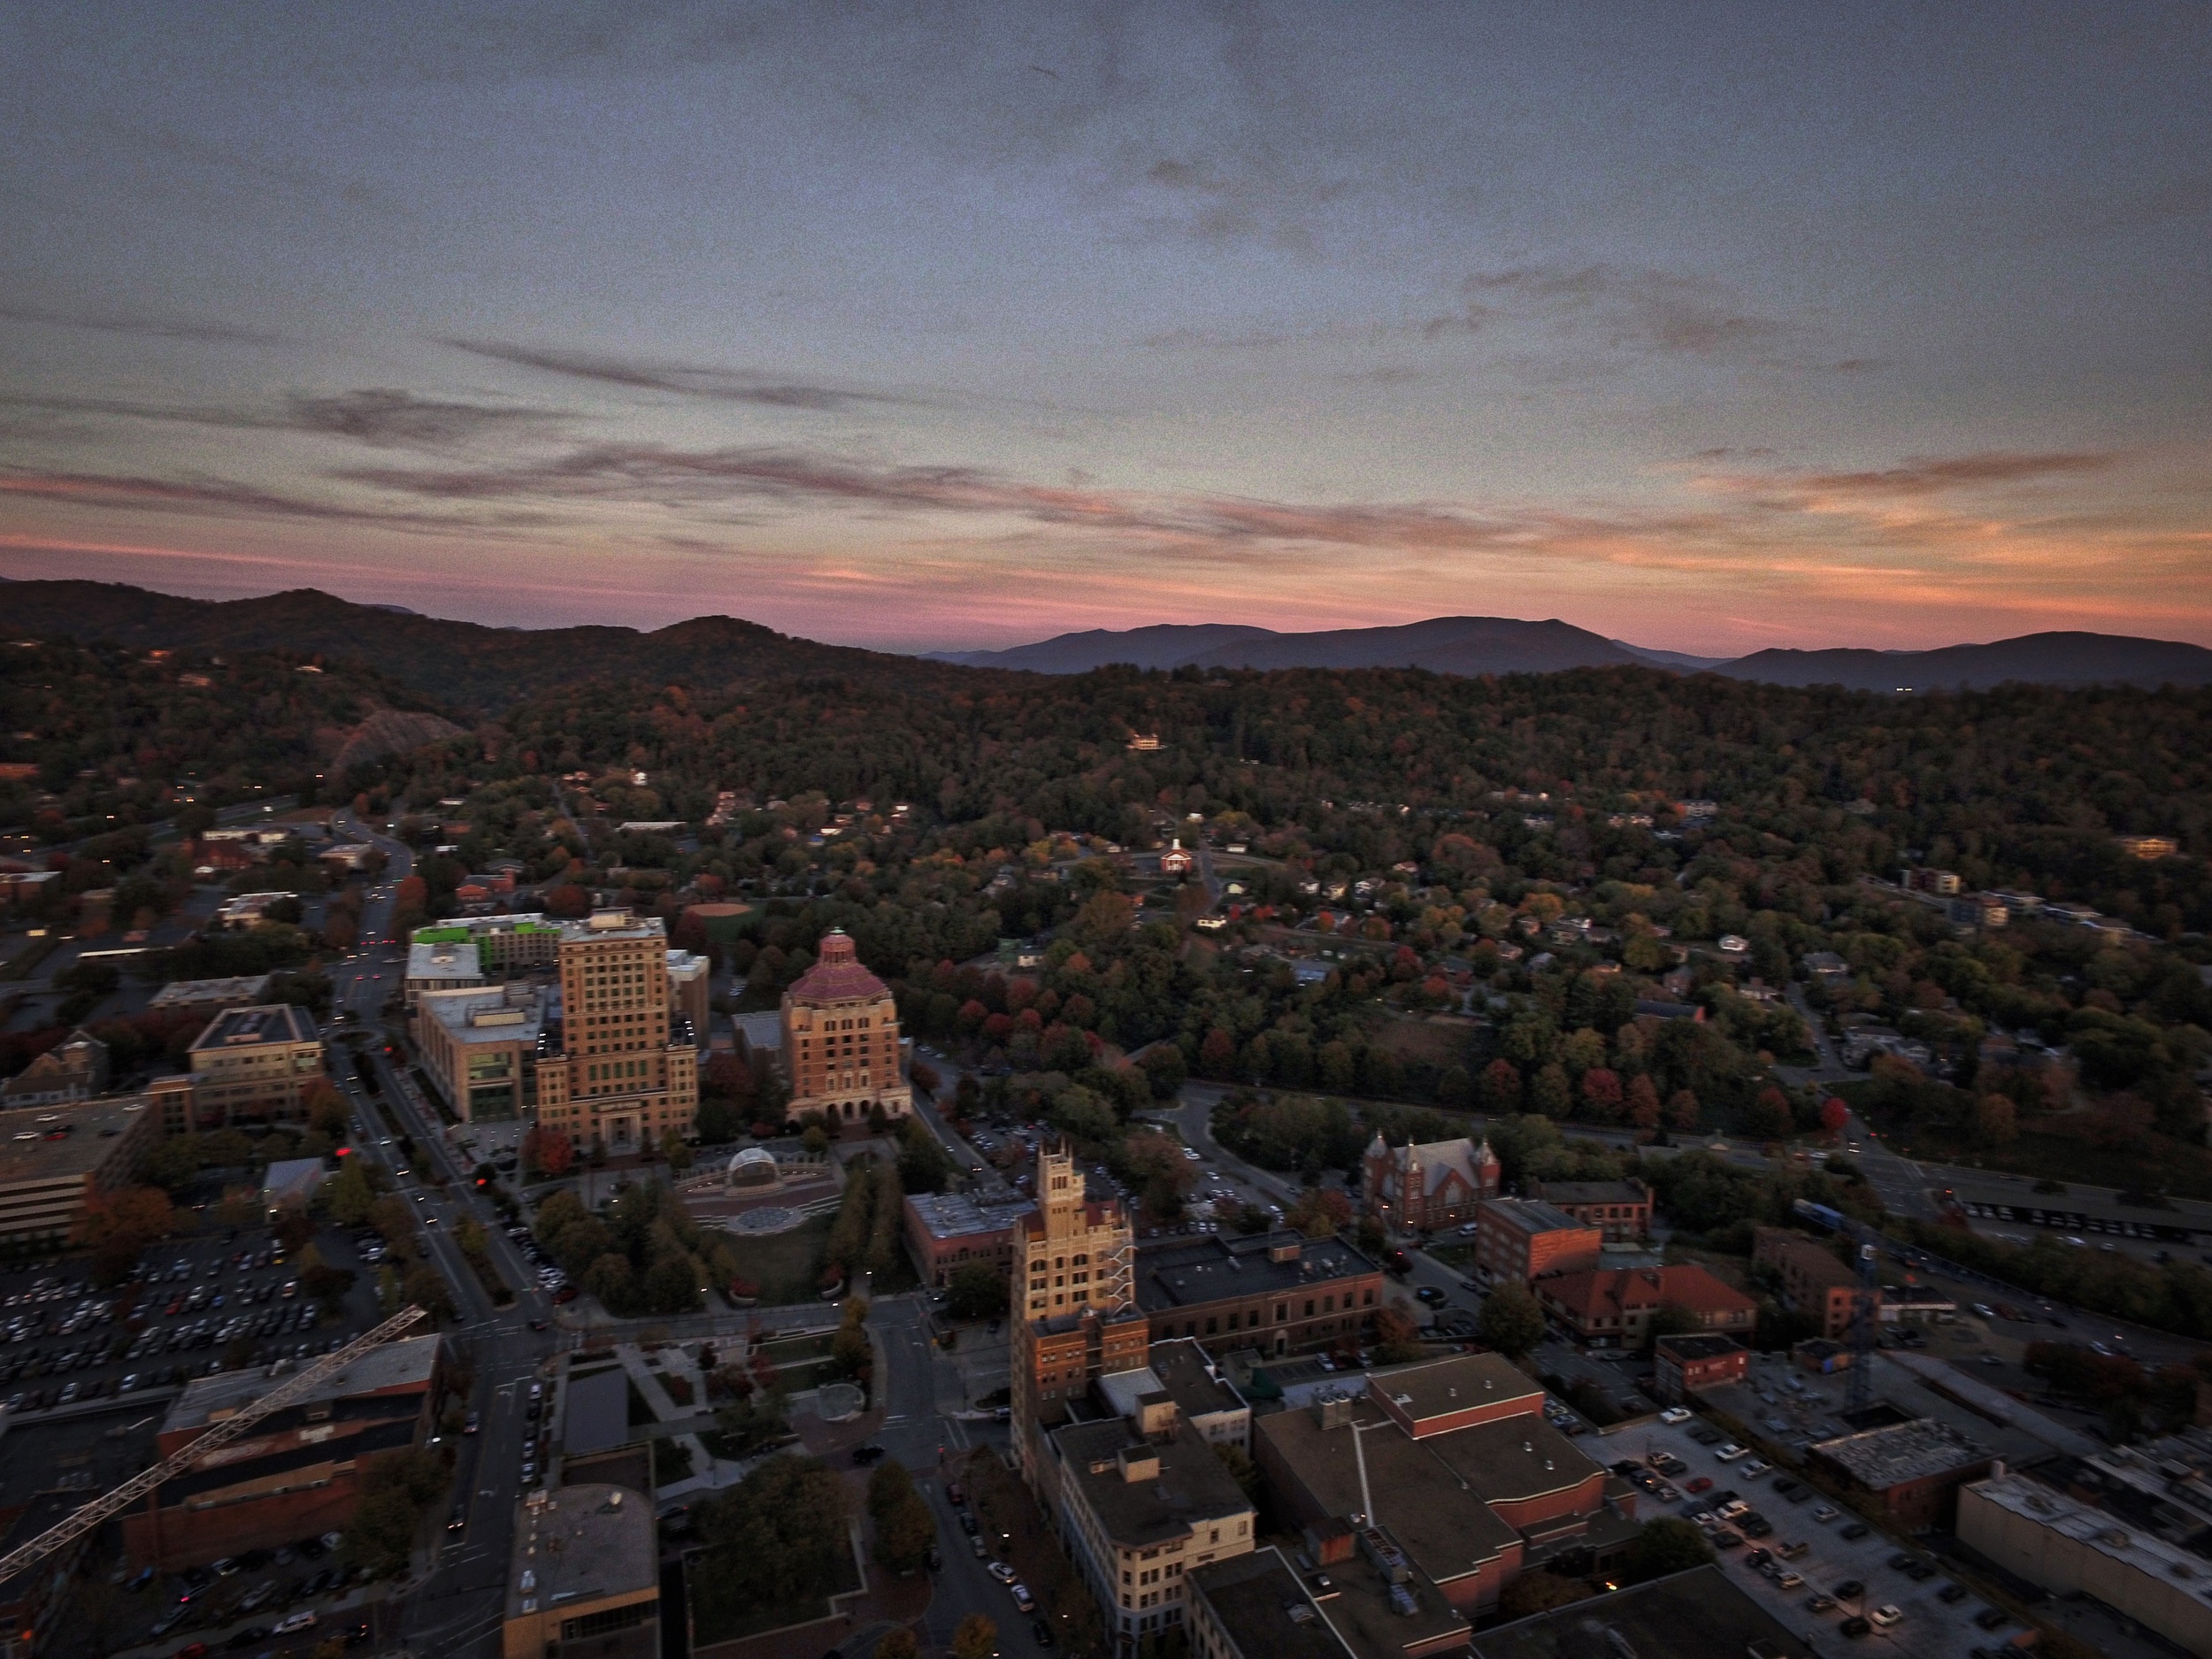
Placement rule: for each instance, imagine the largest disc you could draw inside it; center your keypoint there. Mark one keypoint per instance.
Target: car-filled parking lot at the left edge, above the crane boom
(196, 1306)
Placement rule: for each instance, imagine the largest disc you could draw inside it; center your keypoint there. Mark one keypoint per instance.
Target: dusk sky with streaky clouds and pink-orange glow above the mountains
(946, 326)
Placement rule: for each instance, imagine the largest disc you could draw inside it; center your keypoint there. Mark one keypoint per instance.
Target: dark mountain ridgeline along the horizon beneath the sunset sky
(486, 669)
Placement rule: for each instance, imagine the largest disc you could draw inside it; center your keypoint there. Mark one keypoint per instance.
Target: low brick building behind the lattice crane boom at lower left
(295, 1474)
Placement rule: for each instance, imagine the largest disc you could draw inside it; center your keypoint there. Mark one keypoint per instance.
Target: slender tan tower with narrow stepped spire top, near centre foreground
(1074, 1300)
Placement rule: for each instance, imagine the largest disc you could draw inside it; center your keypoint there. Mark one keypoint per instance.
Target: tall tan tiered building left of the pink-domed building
(623, 1065)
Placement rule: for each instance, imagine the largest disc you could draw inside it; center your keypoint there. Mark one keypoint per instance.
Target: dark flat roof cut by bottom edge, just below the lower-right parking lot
(1689, 1616)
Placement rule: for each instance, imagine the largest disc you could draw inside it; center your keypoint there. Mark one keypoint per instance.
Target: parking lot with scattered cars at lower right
(1760, 1516)
